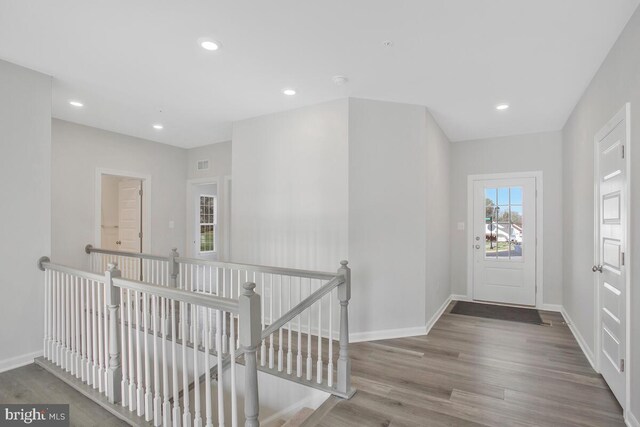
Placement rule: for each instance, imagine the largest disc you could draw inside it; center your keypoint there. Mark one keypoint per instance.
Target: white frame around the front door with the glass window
(539, 228)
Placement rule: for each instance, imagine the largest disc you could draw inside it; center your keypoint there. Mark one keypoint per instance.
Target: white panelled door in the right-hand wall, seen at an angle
(611, 246)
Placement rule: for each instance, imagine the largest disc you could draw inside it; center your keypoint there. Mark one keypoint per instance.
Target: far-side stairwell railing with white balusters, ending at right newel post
(310, 347)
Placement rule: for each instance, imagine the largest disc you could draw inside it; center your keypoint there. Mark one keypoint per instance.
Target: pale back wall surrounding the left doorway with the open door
(77, 152)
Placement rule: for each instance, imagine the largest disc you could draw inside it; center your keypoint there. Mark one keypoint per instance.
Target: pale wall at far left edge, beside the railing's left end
(25, 167)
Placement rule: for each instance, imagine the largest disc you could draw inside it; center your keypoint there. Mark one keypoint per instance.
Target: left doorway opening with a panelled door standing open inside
(121, 211)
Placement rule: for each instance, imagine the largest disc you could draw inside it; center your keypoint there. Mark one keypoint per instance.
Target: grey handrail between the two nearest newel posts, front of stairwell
(200, 299)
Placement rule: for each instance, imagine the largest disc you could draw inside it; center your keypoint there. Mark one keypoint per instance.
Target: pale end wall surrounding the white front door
(521, 153)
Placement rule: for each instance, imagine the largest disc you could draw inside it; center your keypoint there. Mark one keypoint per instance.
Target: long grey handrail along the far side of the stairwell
(307, 274)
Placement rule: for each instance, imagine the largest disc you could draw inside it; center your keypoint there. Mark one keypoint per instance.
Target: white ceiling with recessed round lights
(137, 63)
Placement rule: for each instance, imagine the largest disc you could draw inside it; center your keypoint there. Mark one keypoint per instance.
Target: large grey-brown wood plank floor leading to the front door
(472, 371)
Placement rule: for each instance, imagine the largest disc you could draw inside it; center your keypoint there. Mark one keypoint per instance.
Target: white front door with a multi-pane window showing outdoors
(504, 240)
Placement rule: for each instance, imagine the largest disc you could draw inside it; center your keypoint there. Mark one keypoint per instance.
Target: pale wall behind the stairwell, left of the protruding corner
(290, 188)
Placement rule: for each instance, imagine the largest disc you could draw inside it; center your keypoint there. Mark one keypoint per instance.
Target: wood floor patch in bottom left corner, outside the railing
(33, 384)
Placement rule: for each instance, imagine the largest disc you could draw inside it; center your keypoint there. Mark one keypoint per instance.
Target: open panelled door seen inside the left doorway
(130, 215)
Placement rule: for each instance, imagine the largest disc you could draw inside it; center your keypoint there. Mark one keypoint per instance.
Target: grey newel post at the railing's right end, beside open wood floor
(344, 362)
